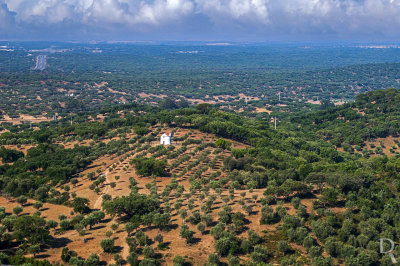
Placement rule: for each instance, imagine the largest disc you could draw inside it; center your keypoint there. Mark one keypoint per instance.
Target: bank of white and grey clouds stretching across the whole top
(338, 17)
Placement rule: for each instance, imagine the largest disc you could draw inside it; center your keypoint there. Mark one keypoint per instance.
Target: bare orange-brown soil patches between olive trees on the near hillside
(120, 173)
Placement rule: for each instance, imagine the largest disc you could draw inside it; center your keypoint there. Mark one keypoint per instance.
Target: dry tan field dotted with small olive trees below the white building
(197, 159)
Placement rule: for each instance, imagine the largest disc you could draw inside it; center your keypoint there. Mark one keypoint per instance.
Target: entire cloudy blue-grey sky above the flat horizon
(200, 20)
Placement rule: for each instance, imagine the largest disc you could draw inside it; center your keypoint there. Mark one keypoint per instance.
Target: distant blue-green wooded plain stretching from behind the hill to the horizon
(77, 78)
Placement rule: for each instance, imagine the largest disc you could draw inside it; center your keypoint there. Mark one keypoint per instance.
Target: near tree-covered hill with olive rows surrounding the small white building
(229, 189)
